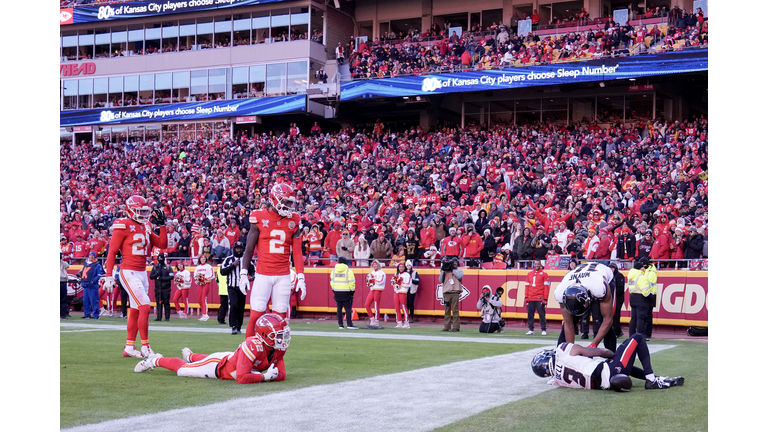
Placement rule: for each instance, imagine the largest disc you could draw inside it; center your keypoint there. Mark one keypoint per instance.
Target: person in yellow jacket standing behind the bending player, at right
(642, 283)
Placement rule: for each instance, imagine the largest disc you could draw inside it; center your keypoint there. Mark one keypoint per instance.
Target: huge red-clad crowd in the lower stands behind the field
(503, 193)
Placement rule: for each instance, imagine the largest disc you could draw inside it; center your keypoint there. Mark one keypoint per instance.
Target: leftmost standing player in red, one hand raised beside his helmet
(134, 238)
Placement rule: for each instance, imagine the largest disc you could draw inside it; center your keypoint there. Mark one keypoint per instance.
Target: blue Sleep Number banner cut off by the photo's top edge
(143, 9)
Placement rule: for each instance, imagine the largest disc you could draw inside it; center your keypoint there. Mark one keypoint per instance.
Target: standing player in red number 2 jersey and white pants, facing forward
(275, 232)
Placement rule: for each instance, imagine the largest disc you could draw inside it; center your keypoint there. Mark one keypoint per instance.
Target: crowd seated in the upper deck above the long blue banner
(497, 47)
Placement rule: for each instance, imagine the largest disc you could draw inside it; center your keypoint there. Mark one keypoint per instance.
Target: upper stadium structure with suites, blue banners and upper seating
(214, 64)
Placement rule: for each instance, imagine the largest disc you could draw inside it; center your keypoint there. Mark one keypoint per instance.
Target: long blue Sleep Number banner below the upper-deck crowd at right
(517, 77)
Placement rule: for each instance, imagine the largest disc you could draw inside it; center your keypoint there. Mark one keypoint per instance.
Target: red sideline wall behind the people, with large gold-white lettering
(681, 295)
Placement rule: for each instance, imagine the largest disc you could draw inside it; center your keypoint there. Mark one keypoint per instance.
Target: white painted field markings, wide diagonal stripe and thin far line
(417, 400)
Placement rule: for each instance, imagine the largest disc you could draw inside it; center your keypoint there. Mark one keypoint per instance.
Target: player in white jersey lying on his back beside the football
(576, 366)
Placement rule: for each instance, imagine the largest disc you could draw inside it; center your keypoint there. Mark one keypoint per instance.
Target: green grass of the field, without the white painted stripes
(98, 384)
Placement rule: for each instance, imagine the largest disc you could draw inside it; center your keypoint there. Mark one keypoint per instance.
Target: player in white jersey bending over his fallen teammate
(587, 283)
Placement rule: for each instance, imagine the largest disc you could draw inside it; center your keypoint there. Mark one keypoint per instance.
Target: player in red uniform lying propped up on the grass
(258, 359)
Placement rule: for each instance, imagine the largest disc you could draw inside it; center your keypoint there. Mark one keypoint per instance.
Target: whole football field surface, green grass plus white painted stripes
(403, 380)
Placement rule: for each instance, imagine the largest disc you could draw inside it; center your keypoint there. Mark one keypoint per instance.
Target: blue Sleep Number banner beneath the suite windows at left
(190, 112)
